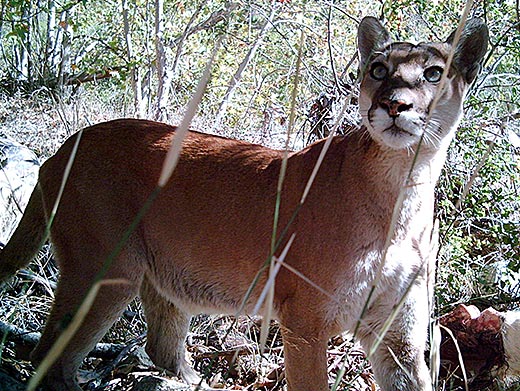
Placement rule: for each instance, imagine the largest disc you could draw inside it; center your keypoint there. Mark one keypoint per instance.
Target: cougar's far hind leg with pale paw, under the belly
(167, 329)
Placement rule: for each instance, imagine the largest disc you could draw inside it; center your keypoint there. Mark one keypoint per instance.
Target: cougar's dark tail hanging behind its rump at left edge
(26, 239)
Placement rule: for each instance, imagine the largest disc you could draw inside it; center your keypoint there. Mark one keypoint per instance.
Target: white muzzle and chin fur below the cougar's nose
(381, 128)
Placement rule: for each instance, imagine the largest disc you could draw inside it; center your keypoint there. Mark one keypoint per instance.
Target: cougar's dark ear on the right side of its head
(470, 49)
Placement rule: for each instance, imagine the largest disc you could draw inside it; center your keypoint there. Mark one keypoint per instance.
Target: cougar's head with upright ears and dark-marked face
(401, 101)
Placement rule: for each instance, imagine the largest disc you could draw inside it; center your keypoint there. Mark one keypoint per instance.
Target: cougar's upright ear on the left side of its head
(372, 36)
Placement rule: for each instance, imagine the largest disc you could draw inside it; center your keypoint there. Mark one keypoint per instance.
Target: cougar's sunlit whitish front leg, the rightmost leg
(398, 362)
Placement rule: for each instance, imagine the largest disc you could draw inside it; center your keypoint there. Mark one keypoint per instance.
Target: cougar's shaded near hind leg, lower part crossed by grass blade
(110, 301)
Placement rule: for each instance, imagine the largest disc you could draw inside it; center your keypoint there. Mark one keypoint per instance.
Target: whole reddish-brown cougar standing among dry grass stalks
(208, 233)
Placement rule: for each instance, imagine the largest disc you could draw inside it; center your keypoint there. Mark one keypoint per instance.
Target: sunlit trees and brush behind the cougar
(68, 64)
